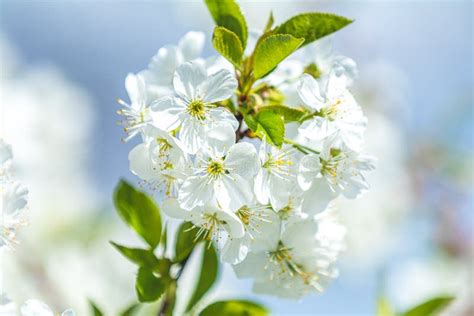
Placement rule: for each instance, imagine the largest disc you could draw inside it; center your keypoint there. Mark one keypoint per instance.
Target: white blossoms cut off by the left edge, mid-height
(14, 199)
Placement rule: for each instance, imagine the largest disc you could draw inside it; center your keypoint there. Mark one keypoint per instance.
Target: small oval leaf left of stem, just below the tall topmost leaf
(228, 45)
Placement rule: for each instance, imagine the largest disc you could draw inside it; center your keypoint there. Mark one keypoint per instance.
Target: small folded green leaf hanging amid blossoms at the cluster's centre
(271, 126)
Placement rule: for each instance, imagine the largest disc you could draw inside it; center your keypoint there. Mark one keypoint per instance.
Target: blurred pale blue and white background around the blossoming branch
(63, 64)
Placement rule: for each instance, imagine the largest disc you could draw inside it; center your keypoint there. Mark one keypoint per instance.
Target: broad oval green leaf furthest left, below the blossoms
(139, 211)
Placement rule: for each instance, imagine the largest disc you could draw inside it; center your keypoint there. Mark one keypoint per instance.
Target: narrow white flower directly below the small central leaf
(276, 176)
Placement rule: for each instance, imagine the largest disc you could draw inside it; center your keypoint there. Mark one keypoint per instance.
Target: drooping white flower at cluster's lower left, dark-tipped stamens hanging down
(210, 220)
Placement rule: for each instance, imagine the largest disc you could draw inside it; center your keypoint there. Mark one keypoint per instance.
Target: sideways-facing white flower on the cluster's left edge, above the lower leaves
(160, 161)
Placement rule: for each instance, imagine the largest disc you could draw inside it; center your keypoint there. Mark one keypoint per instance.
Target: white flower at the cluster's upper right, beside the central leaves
(335, 111)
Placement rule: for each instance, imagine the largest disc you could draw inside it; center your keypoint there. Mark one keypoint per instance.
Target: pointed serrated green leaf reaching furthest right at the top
(312, 26)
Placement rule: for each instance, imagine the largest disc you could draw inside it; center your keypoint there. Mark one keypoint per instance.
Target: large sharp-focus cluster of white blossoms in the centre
(270, 205)
